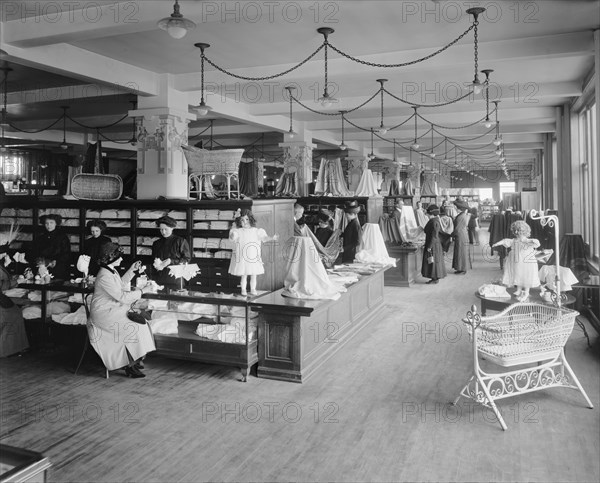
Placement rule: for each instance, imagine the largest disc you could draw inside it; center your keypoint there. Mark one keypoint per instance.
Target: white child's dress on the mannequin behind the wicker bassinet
(521, 267)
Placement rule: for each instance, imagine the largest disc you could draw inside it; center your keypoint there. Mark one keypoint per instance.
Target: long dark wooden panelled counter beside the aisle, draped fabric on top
(297, 336)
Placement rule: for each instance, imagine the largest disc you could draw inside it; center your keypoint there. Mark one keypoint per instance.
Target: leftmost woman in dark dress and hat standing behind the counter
(52, 248)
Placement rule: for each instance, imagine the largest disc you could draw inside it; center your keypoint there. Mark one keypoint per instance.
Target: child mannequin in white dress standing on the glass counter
(246, 260)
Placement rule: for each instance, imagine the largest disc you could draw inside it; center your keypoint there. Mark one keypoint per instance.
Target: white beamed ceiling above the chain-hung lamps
(541, 53)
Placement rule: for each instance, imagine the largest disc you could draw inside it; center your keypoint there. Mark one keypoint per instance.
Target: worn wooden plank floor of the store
(379, 412)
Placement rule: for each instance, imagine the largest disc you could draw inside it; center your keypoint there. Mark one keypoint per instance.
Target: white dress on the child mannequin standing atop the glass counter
(246, 258)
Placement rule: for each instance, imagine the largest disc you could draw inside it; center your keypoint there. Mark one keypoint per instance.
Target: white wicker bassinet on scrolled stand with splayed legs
(523, 333)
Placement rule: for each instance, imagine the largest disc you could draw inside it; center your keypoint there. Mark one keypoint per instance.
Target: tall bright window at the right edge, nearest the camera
(588, 132)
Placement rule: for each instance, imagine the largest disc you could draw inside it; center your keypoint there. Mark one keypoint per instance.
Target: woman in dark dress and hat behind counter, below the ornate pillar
(170, 249)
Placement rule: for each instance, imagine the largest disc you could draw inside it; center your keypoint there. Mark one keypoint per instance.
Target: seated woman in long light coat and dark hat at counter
(120, 342)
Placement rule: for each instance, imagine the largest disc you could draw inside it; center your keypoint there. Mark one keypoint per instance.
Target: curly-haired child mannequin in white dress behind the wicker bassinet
(520, 267)
